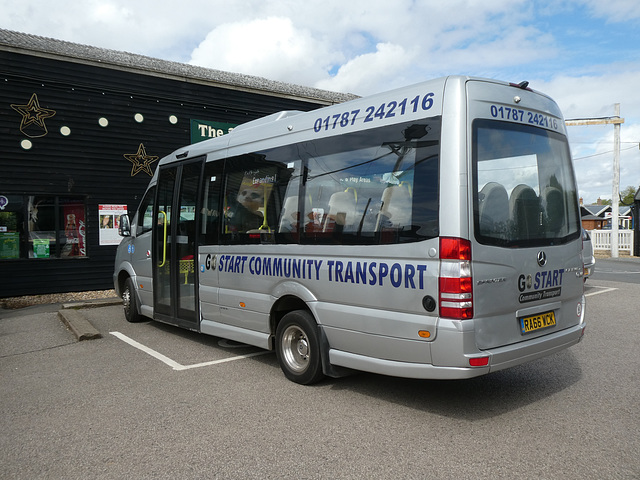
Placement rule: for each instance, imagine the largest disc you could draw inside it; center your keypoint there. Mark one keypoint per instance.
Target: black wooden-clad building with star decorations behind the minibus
(81, 132)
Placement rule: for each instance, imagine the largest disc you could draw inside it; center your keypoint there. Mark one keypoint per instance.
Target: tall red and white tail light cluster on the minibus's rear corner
(455, 281)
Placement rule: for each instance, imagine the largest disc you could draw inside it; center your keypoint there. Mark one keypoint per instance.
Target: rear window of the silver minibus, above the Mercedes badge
(524, 186)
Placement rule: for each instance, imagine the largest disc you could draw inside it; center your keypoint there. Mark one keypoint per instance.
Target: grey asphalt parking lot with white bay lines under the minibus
(151, 401)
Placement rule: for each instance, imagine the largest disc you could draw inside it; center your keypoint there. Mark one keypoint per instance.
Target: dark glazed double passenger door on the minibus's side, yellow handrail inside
(175, 274)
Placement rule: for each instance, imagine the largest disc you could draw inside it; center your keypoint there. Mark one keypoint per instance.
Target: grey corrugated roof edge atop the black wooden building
(132, 61)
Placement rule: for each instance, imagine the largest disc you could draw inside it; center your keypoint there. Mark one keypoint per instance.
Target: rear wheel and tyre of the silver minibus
(298, 348)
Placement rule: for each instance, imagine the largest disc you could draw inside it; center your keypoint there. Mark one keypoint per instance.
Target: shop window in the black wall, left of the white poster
(42, 226)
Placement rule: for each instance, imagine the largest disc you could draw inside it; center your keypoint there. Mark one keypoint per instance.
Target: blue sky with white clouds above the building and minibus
(583, 53)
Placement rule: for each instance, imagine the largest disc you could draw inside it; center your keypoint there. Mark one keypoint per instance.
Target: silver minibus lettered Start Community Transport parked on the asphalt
(428, 232)
